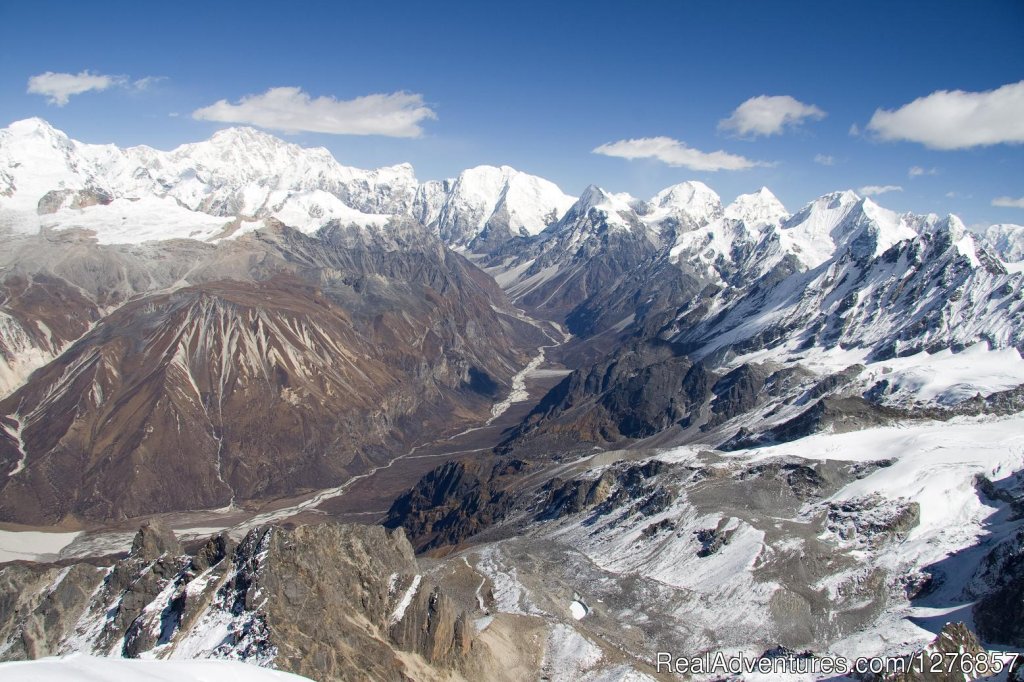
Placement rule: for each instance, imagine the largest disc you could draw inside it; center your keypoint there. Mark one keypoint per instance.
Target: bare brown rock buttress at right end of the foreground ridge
(312, 570)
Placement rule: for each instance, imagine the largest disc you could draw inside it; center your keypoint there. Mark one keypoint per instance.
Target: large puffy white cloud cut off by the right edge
(957, 120)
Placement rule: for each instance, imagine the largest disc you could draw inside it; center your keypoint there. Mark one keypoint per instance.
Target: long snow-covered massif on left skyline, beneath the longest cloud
(194, 191)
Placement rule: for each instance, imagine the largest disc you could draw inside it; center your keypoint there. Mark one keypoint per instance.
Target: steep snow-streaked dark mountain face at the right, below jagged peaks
(935, 290)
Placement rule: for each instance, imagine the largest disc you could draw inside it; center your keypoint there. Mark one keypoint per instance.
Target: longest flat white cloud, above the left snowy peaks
(291, 110)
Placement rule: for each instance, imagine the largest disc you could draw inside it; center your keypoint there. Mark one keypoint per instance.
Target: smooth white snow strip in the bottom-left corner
(97, 669)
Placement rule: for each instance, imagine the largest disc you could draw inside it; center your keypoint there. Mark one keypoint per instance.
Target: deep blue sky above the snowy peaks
(540, 87)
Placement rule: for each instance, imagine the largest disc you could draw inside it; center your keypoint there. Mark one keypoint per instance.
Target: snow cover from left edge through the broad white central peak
(195, 191)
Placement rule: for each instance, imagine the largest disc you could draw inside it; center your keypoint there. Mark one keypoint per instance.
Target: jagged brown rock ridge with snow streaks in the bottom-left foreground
(328, 602)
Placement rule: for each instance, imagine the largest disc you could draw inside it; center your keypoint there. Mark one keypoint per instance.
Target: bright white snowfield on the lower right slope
(934, 465)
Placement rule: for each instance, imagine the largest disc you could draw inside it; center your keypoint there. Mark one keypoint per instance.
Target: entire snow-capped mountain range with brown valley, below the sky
(615, 423)
